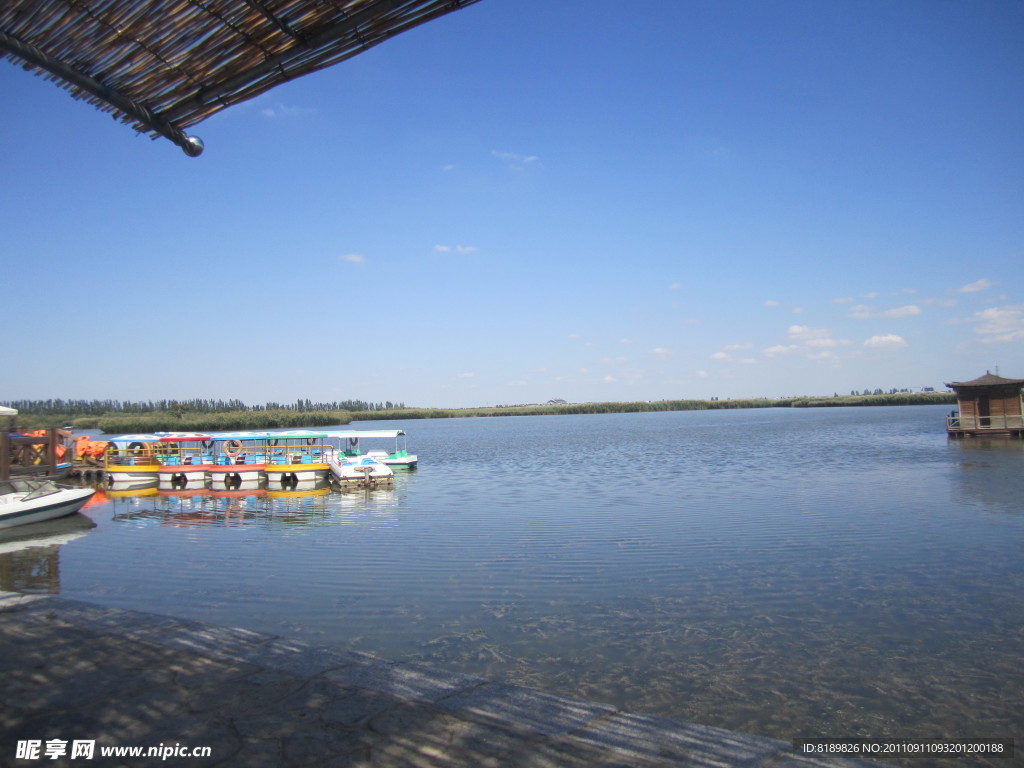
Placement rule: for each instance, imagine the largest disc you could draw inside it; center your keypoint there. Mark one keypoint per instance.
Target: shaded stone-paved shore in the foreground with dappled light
(79, 672)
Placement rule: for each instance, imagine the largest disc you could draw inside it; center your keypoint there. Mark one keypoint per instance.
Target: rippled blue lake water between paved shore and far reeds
(843, 573)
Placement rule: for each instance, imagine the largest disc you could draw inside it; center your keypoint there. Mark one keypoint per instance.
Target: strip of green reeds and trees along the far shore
(114, 417)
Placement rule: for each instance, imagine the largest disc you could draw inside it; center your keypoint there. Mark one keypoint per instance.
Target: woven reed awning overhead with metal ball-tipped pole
(162, 66)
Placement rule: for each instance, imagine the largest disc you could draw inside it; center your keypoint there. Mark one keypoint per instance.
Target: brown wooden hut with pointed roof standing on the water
(988, 406)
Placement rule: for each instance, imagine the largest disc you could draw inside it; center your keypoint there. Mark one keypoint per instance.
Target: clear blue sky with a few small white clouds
(539, 199)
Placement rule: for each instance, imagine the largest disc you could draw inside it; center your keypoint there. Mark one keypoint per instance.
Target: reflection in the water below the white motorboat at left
(30, 556)
